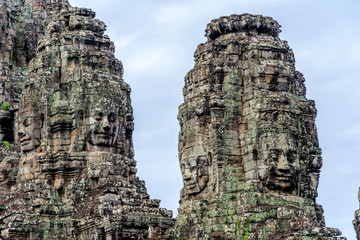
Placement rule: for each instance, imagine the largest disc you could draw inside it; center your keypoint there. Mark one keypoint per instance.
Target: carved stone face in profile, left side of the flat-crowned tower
(195, 174)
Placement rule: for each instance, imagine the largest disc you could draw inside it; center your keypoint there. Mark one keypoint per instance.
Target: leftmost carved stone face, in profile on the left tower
(29, 134)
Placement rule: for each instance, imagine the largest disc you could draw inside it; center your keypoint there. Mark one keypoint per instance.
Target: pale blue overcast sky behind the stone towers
(156, 39)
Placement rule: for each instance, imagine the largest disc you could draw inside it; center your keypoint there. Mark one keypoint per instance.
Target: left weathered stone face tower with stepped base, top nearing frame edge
(76, 175)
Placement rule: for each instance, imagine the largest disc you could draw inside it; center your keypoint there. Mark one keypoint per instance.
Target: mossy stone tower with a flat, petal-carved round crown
(248, 147)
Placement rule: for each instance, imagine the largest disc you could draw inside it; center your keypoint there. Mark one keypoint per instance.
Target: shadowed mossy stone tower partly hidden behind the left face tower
(23, 23)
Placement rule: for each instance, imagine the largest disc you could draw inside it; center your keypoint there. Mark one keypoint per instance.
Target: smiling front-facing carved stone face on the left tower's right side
(104, 128)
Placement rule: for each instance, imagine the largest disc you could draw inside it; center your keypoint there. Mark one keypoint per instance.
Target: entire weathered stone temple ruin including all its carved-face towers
(248, 147)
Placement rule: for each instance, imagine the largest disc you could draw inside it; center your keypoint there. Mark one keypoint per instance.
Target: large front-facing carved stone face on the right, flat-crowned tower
(279, 161)
